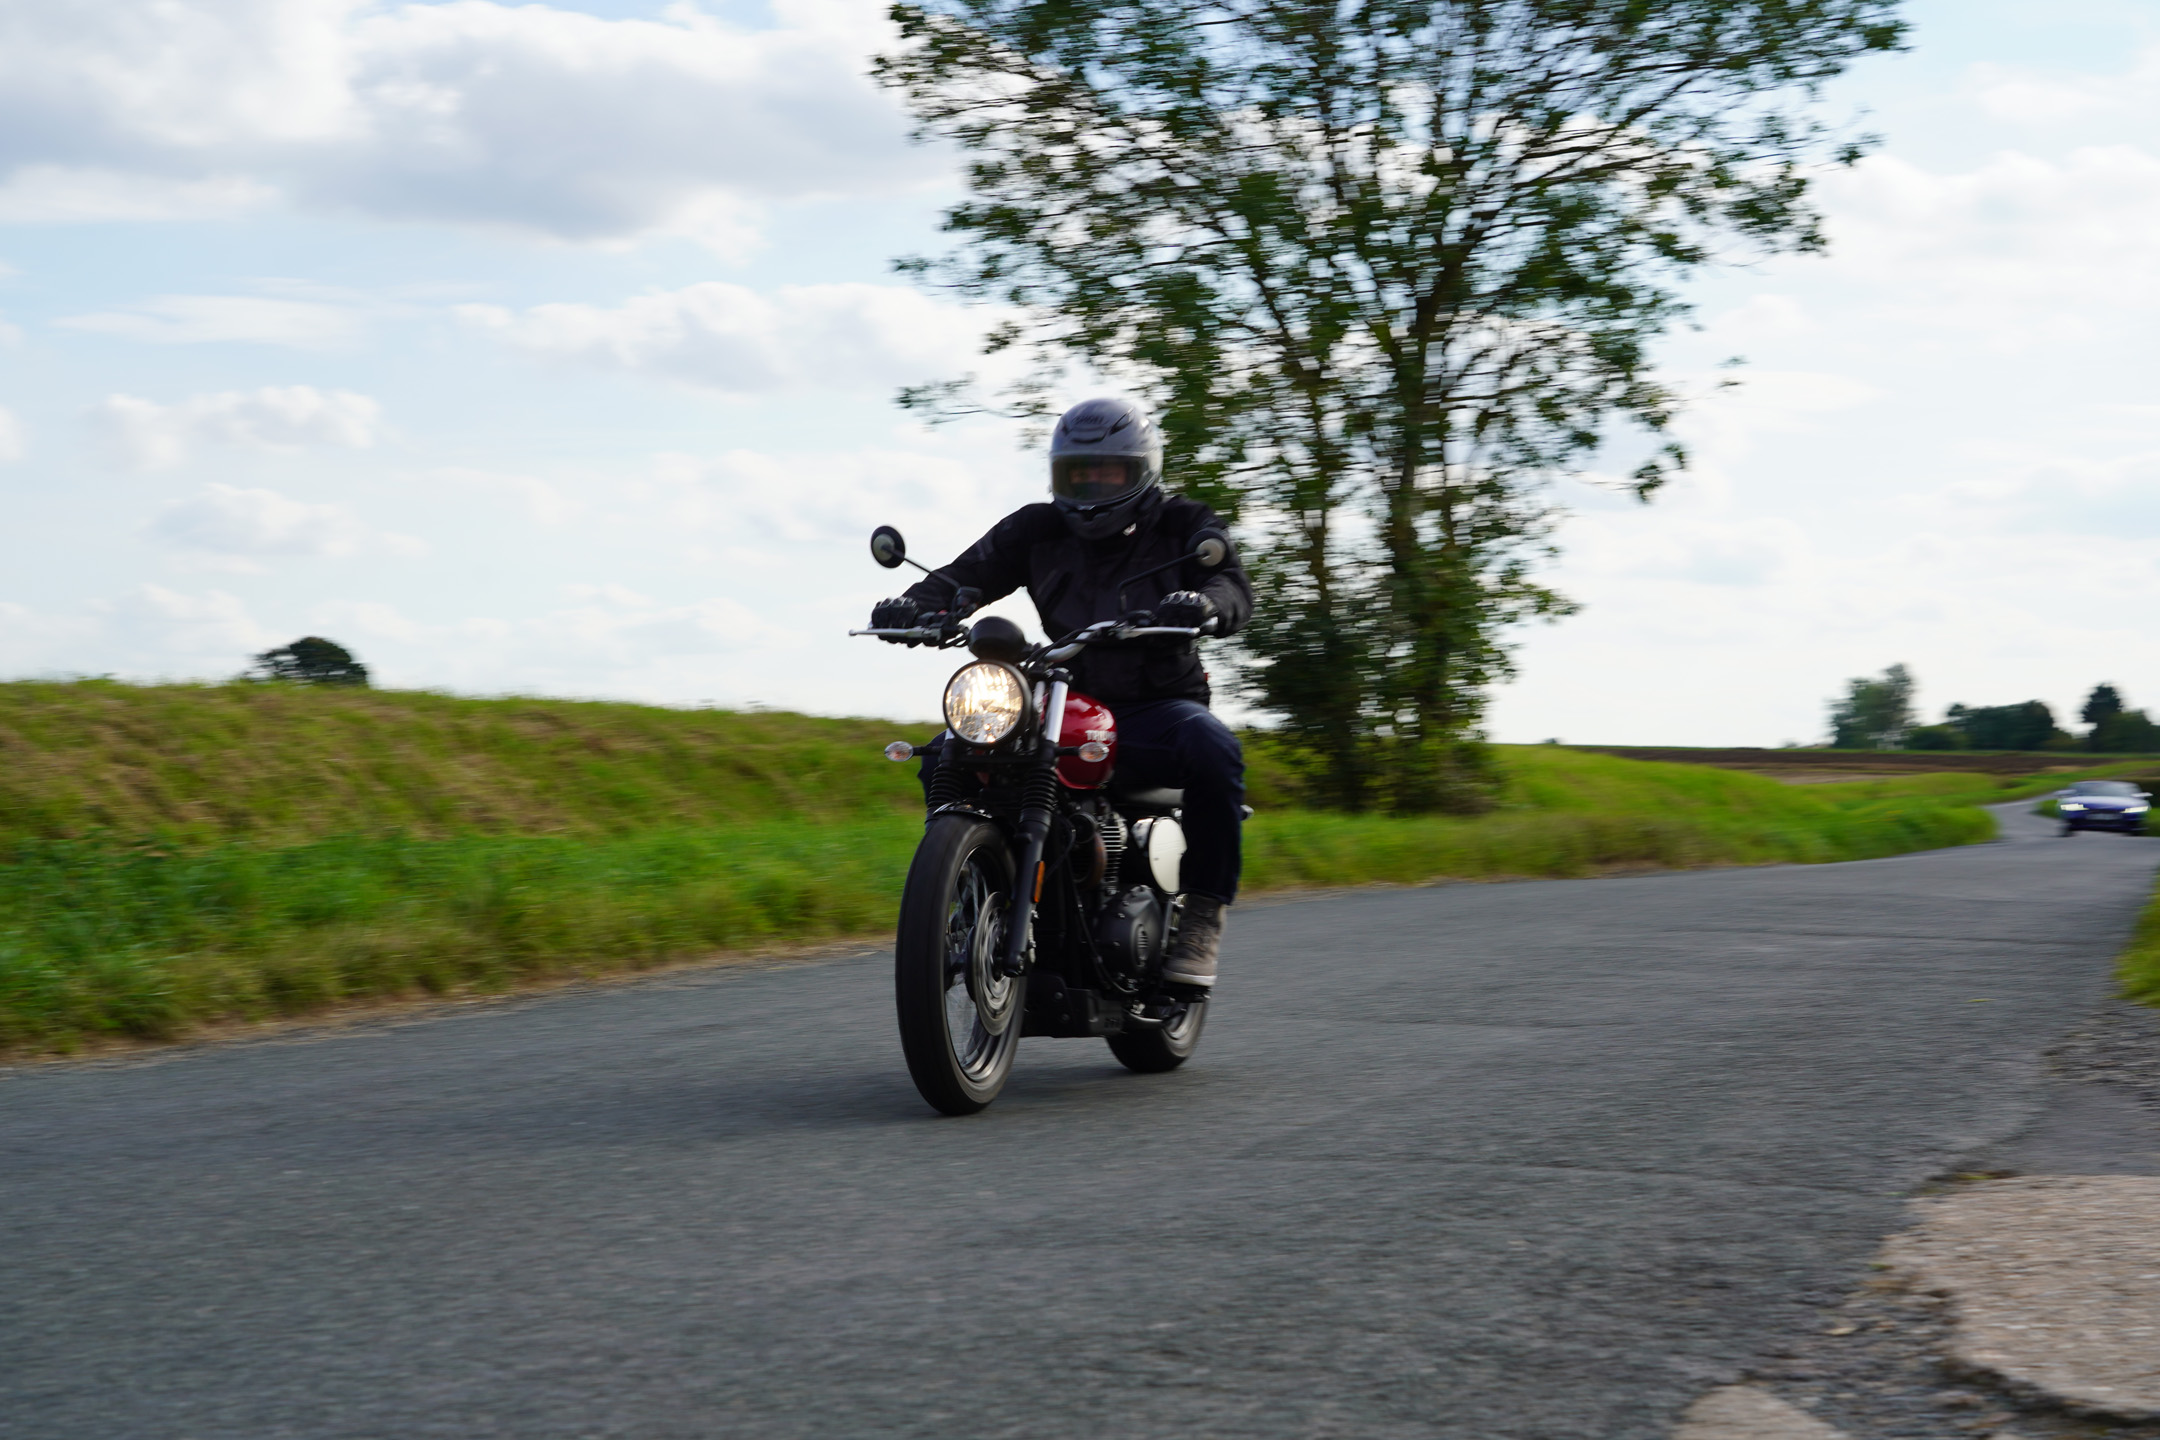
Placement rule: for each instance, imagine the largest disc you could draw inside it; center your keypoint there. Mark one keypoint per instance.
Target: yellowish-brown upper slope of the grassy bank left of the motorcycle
(284, 765)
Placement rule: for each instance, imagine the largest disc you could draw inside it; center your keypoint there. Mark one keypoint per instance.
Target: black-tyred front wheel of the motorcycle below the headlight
(960, 1016)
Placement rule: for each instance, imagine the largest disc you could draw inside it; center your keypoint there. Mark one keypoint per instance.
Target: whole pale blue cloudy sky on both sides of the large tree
(552, 351)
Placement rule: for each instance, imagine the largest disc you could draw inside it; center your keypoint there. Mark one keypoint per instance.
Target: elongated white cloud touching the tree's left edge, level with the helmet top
(742, 342)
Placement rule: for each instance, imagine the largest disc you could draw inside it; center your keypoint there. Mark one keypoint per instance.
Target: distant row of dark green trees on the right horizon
(1876, 714)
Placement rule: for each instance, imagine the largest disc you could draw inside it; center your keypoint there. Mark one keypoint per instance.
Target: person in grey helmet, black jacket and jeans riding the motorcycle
(1111, 519)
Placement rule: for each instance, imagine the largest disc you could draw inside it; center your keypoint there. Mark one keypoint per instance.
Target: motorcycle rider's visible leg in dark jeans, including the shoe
(1183, 744)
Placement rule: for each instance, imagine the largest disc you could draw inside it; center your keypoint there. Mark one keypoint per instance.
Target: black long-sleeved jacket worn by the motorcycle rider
(1075, 584)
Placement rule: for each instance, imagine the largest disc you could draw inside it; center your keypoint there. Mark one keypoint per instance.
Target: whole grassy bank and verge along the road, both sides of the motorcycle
(174, 856)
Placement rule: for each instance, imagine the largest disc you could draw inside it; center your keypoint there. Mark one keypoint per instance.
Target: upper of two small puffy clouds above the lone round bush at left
(146, 435)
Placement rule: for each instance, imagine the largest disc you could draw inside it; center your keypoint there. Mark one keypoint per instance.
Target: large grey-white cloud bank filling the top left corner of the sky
(470, 111)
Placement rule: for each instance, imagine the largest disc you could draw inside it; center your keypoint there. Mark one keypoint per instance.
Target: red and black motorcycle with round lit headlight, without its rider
(1044, 893)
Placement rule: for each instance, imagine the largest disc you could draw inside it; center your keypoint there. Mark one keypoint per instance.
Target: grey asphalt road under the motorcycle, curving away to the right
(1476, 1160)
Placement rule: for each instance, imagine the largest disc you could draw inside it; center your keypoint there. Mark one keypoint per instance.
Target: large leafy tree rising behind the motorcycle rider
(1386, 269)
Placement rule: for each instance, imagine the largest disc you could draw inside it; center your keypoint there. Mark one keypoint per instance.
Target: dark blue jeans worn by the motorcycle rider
(1183, 746)
